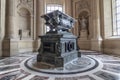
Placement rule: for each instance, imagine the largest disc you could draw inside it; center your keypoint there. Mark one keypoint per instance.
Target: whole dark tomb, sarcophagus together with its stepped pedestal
(58, 46)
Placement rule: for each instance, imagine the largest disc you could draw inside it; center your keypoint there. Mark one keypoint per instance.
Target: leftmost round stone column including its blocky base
(10, 45)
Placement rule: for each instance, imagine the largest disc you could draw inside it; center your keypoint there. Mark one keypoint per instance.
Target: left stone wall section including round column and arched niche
(19, 25)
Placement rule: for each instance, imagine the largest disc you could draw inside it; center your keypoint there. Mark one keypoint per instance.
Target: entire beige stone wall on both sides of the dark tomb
(25, 15)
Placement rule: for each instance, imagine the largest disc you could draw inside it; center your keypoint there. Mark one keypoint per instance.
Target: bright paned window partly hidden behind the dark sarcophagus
(52, 7)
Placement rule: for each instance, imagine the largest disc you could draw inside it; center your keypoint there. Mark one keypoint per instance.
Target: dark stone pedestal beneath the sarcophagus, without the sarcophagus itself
(57, 49)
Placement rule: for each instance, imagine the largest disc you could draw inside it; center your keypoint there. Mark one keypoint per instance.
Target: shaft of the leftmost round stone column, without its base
(10, 13)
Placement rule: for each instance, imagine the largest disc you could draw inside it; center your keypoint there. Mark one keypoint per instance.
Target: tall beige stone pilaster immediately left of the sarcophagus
(40, 7)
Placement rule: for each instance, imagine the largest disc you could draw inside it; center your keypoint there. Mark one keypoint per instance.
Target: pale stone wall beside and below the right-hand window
(111, 44)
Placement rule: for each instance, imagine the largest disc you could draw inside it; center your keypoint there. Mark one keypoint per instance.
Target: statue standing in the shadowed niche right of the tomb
(83, 24)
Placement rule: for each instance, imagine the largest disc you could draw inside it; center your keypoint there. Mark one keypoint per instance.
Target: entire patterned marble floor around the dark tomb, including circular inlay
(88, 67)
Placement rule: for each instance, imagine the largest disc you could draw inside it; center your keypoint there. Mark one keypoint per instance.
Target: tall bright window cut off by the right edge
(116, 17)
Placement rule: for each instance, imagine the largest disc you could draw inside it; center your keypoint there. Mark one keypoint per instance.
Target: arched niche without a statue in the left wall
(24, 23)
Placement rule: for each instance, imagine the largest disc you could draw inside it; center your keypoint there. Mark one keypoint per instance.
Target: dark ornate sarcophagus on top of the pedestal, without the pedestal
(58, 21)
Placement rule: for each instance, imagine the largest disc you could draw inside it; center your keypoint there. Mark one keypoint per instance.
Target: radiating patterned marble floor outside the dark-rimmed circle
(12, 68)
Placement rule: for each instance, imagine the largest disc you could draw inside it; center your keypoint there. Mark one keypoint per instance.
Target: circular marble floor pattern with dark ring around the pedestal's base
(79, 65)
